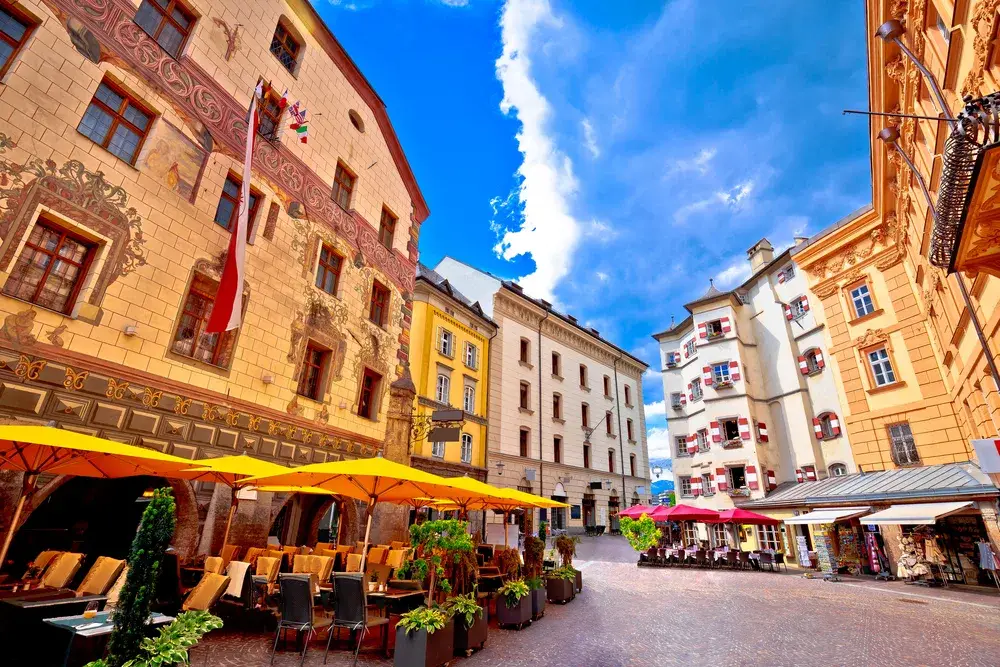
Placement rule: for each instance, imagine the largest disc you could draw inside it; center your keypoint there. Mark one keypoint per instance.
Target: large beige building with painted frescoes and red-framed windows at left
(122, 130)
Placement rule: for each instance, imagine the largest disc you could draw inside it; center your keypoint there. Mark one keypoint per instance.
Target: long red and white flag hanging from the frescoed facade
(227, 311)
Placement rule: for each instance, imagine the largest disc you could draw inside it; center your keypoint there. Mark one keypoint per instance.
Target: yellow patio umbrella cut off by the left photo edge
(34, 450)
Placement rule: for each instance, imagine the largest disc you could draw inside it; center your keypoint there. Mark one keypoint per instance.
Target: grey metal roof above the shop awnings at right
(948, 480)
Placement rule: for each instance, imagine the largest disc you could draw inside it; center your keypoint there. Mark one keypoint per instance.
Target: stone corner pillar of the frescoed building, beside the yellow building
(389, 522)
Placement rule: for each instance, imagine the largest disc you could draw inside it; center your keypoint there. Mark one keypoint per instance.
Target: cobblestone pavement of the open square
(635, 617)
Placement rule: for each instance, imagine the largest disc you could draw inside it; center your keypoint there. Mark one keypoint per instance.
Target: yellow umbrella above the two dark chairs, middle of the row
(372, 480)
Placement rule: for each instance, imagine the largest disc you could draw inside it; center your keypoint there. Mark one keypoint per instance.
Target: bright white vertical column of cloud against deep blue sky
(548, 231)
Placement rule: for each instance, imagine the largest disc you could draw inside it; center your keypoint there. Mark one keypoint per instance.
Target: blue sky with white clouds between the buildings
(615, 156)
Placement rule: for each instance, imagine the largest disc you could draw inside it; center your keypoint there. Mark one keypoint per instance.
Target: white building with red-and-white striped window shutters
(750, 393)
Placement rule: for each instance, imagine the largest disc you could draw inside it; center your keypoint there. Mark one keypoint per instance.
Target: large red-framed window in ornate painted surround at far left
(51, 268)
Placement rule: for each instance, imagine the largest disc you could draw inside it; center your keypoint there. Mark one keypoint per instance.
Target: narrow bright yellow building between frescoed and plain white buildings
(449, 361)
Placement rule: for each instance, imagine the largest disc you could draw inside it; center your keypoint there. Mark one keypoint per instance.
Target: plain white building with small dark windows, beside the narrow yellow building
(565, 406)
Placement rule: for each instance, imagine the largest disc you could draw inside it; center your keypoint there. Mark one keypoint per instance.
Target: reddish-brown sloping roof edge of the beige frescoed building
(337, 53)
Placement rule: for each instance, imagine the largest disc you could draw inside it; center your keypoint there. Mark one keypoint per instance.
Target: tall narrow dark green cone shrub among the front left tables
(144, 557)
